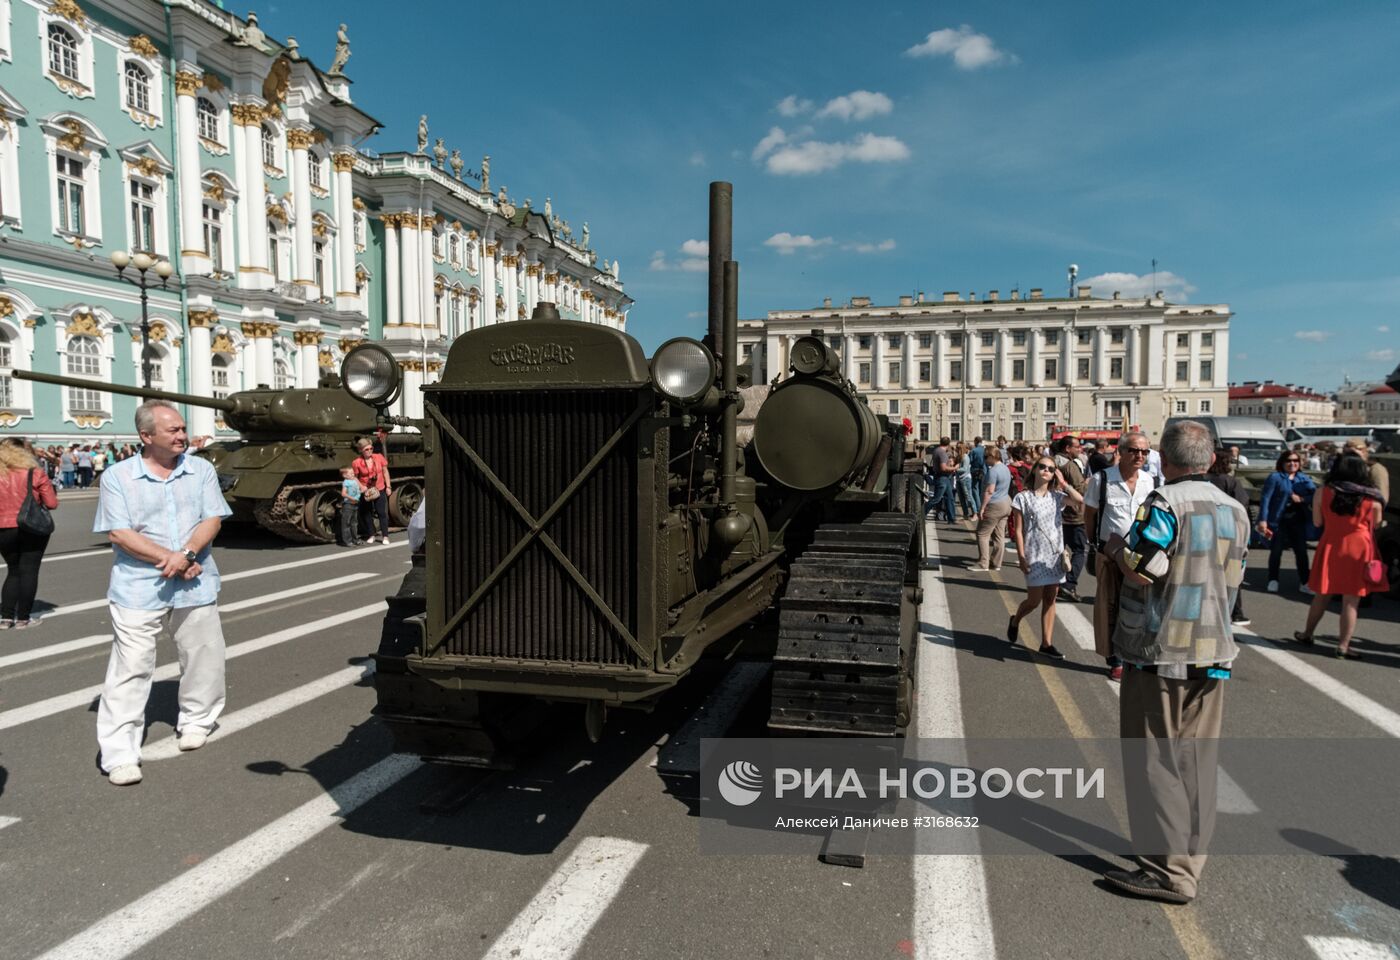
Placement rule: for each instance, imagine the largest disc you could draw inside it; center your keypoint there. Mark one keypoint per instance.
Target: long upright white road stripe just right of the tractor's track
(953, 917)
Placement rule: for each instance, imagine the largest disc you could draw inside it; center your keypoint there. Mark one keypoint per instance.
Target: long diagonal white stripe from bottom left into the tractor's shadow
(132, 927)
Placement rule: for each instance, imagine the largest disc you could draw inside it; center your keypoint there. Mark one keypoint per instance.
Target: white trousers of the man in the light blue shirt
(121, 714)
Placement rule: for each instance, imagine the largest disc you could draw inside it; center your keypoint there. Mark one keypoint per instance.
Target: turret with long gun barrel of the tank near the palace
(253, 412)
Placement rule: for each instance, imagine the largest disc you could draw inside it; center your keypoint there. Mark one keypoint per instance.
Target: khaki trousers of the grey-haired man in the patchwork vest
(1171, 737)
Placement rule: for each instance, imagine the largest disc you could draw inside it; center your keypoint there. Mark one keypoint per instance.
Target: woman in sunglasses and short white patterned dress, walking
(1037, 525)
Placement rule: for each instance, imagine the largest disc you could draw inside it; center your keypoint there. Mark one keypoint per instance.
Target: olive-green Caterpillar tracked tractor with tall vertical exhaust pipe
(596, 530)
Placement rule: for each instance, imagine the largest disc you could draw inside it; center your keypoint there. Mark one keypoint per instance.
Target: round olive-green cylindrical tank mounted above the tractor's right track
(813, 433)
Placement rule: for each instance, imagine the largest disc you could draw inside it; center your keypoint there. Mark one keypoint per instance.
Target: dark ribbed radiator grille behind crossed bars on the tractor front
(537, 444)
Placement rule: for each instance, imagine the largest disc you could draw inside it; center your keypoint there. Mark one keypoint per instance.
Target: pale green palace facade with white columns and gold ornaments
(185, 132)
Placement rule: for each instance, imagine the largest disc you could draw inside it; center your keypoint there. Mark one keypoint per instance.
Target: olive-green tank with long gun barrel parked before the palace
(283, 472)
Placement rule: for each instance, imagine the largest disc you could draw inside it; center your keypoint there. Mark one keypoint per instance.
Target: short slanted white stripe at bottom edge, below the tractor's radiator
(555, 924)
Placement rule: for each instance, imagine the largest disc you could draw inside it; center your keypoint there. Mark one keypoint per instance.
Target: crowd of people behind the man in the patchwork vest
(1065, 503)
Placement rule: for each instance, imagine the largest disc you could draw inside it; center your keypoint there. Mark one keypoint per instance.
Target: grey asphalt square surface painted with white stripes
(299, 833)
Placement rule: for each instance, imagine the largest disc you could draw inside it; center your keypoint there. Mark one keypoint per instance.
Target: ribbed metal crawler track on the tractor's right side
(845, 653)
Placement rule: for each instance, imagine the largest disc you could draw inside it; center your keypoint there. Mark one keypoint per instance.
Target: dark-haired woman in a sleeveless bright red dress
(1349, 510)
